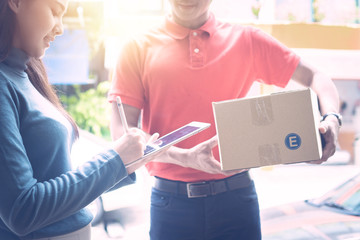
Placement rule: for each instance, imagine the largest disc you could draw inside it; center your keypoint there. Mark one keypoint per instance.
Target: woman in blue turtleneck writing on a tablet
(40, 198)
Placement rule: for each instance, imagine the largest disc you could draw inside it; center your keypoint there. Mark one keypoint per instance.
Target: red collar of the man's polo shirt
(177, 31)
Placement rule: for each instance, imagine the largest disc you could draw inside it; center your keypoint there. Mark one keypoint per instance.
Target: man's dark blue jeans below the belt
(233, 215)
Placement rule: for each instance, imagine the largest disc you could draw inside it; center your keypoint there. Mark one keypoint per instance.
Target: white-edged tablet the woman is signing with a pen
(172, 138)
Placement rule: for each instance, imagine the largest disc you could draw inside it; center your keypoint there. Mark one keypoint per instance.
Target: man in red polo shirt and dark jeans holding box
(172, 75)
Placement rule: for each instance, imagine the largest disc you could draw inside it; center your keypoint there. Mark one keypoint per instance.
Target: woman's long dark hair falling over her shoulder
(35, 67)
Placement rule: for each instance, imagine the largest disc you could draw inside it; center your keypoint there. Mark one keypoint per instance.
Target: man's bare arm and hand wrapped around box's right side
(328, 96)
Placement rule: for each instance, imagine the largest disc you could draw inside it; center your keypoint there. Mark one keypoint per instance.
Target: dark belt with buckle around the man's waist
(203, 189)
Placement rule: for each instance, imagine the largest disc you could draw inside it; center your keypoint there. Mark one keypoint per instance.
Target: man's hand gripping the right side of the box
(329, 130)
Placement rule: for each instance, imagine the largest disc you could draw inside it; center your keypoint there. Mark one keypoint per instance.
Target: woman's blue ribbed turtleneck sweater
(39, 194)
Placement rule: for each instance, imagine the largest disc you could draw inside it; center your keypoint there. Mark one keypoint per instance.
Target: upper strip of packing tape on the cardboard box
(261, 111)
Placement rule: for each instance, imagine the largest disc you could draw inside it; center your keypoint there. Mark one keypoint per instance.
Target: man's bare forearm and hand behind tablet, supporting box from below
(199, 157)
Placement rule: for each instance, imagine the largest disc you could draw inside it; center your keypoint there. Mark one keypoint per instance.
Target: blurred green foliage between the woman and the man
(90, 109)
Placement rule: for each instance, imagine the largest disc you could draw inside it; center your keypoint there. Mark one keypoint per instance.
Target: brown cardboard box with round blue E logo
(267, 130)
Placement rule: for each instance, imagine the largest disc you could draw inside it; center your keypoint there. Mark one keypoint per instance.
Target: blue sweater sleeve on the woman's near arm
(26, 204)
